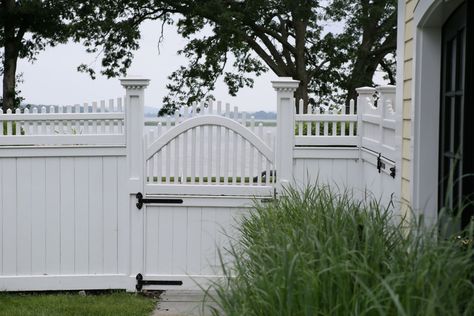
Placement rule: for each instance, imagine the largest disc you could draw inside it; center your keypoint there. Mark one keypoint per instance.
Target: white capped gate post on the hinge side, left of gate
(134, 121)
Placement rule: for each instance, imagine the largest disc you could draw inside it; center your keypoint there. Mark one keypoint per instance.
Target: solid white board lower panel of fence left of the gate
(60, 217)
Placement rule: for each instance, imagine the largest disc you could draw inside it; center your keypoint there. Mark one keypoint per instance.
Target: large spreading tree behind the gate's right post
(281, 35)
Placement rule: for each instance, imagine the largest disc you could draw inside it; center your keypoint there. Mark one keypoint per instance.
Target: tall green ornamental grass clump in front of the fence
(318, 252)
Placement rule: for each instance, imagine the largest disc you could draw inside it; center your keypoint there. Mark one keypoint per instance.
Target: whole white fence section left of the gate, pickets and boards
(64, 207)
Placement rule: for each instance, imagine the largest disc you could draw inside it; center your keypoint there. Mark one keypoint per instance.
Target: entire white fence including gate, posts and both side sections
(90, 202)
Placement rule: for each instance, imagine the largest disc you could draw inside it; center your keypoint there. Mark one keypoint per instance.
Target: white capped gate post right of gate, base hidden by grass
(285, 135)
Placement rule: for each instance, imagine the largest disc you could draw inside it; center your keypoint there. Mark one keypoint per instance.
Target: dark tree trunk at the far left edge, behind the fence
(11, 50)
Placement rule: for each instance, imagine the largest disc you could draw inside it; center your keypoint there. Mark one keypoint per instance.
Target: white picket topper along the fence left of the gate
(94, 124)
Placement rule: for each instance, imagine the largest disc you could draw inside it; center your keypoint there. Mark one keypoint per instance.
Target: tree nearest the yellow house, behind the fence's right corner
(369, 38)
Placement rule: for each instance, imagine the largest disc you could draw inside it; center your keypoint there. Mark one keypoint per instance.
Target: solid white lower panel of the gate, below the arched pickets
(183, 242)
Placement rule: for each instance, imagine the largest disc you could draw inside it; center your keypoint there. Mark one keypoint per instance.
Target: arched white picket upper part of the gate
(209, 147)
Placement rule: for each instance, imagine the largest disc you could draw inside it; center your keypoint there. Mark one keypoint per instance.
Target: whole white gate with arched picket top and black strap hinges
(202, 172)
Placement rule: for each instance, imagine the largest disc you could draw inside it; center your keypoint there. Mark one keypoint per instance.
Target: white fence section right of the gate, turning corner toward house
(352, 152)
